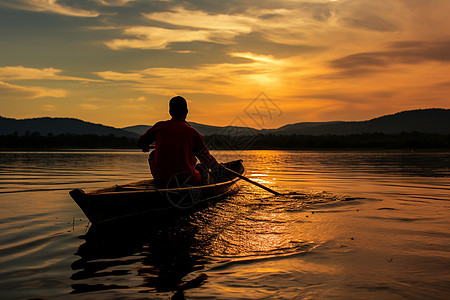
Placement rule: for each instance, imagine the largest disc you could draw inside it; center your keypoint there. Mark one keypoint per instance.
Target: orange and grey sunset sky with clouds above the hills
(118, 62)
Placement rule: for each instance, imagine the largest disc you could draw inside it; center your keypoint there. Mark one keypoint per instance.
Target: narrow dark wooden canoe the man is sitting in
(146, 198)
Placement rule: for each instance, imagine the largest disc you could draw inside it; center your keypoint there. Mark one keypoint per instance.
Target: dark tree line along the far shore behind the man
(412, 140)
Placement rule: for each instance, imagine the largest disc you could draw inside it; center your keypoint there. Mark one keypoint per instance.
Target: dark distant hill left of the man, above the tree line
(56, 126)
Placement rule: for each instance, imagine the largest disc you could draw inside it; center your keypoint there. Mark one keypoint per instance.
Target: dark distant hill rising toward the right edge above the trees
(424, 121)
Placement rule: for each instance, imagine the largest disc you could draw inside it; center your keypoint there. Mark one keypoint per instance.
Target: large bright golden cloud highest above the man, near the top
(280, 26)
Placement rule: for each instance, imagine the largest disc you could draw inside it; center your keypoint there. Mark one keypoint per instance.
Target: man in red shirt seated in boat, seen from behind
(177, 145)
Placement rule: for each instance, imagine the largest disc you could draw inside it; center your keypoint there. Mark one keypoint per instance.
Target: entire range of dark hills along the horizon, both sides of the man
(423, 121)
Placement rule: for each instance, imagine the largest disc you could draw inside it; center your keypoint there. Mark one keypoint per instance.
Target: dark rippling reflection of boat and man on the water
(161, 253)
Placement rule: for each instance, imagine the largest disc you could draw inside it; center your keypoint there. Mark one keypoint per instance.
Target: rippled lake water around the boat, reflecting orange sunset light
(353, 225)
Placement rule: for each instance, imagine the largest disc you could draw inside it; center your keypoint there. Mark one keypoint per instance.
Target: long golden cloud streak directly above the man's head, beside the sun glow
(238, 79)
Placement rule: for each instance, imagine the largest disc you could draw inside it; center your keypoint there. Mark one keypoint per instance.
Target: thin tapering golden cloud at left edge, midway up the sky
(20, 73)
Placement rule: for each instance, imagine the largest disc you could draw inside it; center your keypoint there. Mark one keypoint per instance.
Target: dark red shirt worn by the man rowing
(177, 145)
